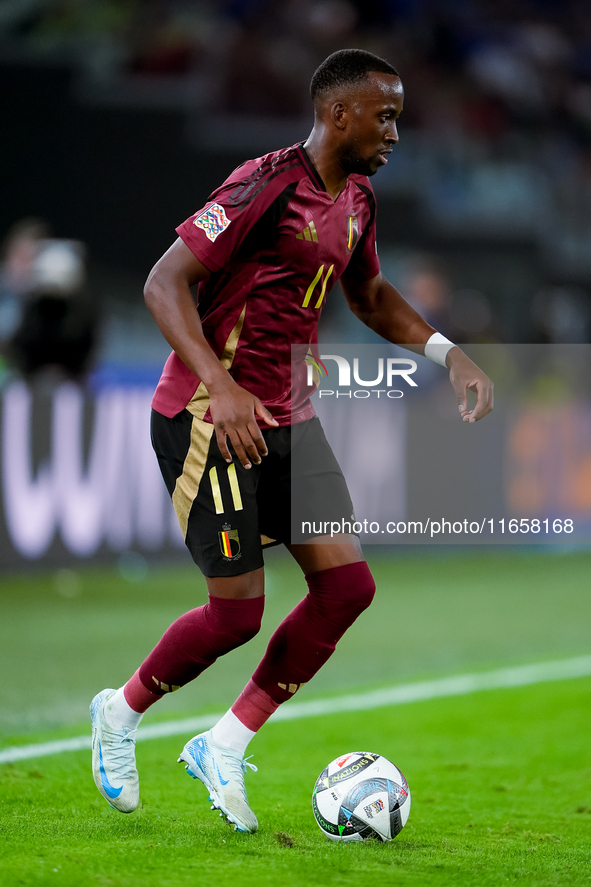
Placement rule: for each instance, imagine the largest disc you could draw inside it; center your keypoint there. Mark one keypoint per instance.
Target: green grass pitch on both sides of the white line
(500, 780)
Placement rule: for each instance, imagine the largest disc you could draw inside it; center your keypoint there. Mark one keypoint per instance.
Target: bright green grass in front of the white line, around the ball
(500, 784)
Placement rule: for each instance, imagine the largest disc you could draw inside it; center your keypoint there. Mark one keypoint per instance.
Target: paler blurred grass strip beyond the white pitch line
(63, 641)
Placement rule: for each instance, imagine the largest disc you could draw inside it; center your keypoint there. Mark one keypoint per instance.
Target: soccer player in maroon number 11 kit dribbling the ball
(265, 249)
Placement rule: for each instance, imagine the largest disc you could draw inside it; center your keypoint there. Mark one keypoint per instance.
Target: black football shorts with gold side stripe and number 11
(228, 513)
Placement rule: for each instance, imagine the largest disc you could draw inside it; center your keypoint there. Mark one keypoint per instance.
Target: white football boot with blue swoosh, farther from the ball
(113, 758)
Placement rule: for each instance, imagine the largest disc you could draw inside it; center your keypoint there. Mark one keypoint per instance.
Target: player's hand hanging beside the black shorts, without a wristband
(233, 413)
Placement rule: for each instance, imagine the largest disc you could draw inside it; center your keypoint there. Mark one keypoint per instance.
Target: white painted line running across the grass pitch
(461, 685)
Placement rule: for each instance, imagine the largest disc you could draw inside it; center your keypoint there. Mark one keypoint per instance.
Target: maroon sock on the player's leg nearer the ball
(306, 638)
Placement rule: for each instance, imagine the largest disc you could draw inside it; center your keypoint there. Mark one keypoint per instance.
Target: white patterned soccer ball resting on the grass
(361, 795)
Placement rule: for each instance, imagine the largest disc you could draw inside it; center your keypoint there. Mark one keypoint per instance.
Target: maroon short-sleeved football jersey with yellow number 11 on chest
(275, 243)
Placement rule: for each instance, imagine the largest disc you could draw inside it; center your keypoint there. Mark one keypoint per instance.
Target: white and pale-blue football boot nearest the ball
(221, 770)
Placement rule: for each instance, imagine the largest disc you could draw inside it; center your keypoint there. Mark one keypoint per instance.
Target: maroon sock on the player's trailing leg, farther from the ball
(195, 641)
